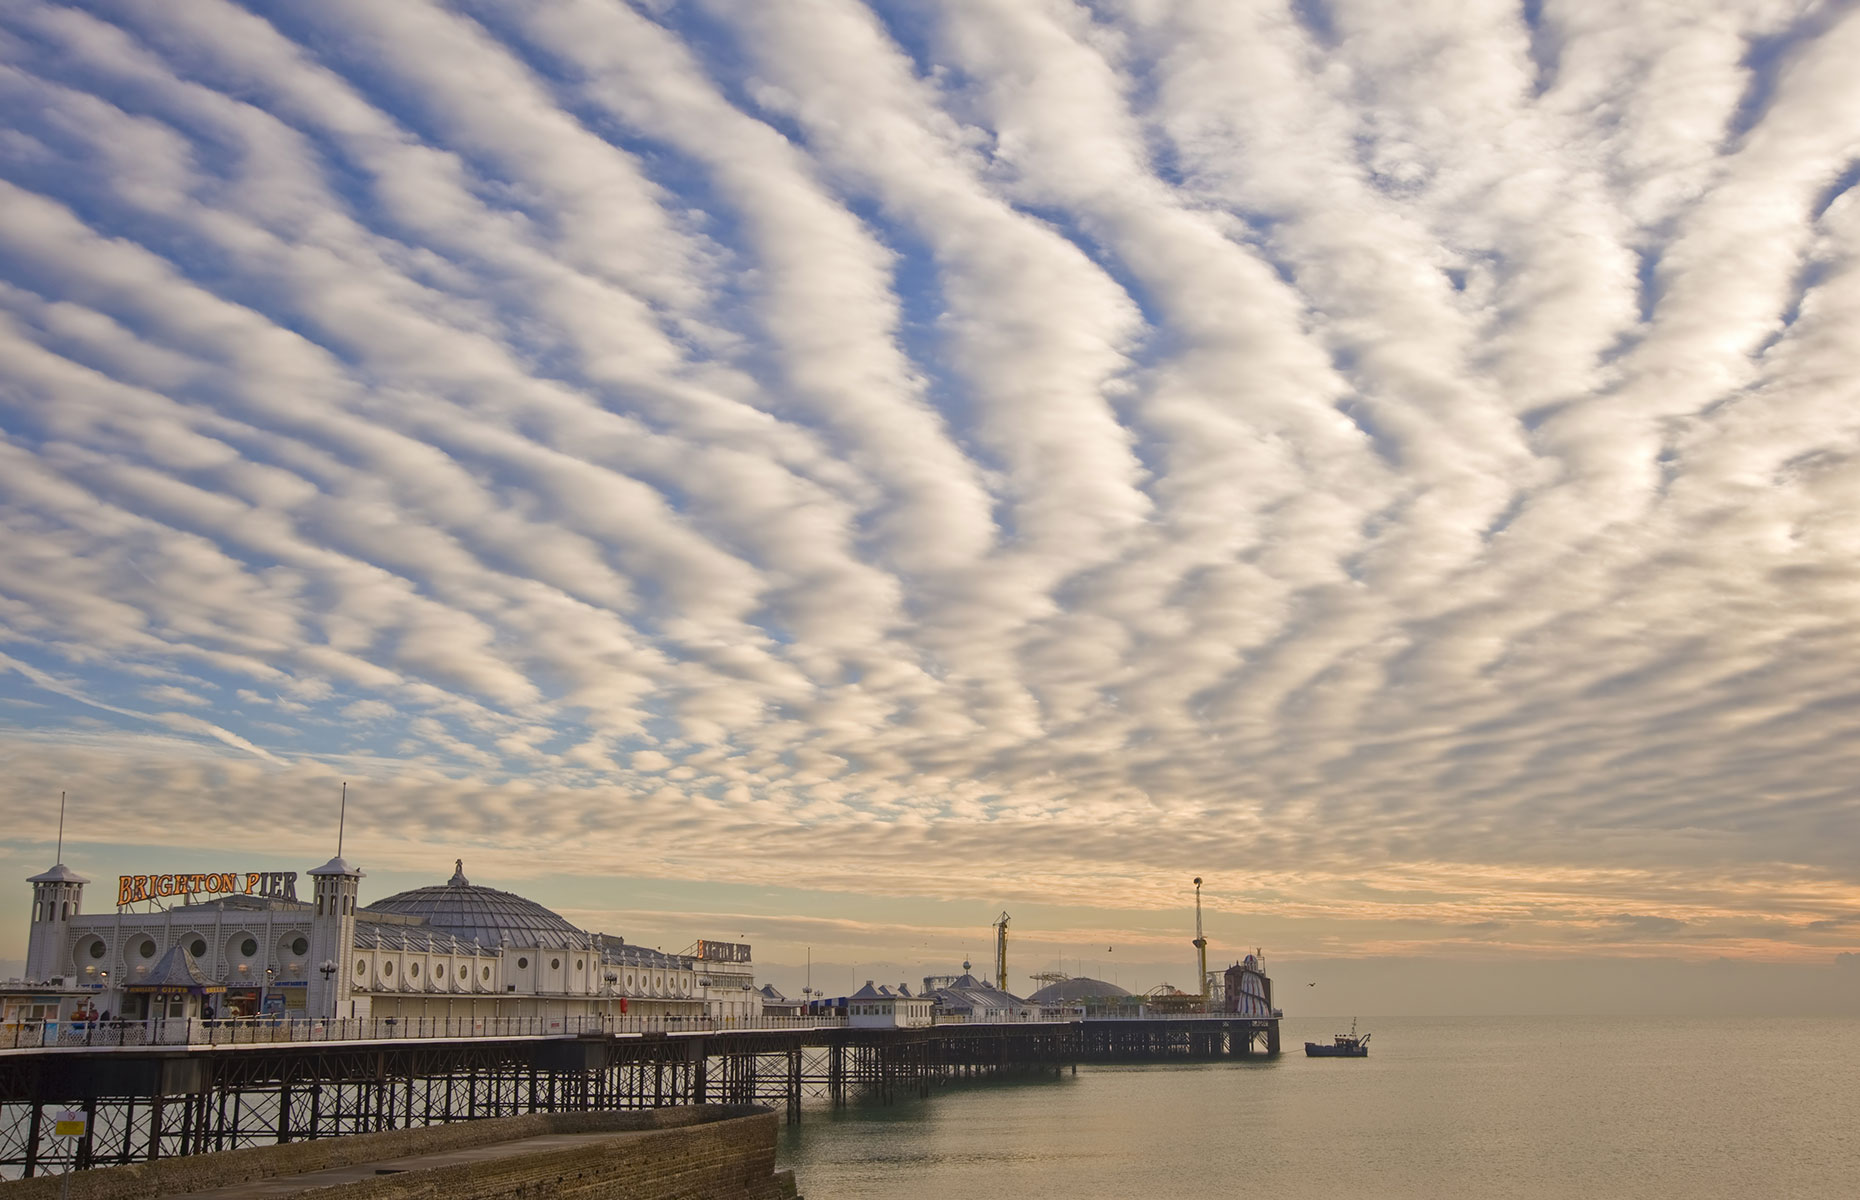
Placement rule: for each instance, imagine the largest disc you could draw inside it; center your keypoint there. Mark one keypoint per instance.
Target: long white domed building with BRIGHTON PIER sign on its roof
(256, 946)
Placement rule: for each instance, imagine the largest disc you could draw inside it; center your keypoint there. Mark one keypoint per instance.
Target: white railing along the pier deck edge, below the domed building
(259, 1030)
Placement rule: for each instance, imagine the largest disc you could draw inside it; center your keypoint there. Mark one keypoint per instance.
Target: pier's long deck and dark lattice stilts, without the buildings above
(148, 1095)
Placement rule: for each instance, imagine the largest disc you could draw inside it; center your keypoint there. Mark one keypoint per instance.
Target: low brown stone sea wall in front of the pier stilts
(706, 1153)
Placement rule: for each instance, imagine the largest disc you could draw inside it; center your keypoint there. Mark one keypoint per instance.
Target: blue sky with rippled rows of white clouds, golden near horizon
(829, 473)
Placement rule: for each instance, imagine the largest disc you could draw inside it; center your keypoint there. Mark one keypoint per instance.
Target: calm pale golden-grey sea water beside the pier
(1444, 1108)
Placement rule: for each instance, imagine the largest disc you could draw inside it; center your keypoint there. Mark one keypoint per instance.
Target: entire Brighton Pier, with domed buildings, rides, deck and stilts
(258, 1019)
